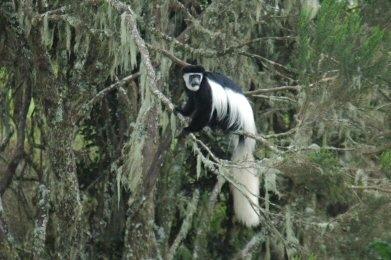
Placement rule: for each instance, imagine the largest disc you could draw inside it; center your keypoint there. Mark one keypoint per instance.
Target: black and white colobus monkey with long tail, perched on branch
(216, 101)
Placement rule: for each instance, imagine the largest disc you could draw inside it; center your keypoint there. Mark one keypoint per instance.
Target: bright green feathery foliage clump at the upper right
(337, 38)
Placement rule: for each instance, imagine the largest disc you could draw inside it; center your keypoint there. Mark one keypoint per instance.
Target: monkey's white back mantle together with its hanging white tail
(234, 106)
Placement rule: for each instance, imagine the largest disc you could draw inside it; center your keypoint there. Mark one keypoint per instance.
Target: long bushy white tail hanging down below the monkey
(246, 205)
